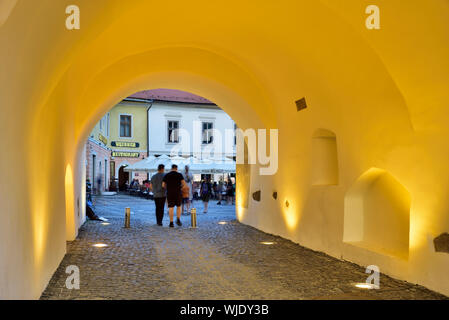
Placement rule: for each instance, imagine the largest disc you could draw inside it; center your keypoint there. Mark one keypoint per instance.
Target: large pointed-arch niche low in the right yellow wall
(377, 214)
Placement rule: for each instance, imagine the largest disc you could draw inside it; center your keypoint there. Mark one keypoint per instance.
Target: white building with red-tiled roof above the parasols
(186, 124)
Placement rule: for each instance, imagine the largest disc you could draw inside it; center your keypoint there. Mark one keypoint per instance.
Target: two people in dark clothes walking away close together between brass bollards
(168, 187)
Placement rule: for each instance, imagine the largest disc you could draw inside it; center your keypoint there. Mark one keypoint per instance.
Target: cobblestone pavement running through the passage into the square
(215, 261)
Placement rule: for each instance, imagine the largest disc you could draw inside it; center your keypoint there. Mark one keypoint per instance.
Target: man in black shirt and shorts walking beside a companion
(173, 182)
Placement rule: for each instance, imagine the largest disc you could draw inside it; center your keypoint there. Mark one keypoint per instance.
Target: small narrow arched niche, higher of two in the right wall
(324, 158)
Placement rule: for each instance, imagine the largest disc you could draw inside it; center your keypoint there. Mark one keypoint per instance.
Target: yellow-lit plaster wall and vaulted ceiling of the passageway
(382, 92)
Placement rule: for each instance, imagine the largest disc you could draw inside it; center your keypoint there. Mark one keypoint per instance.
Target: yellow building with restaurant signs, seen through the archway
(118, 140)
